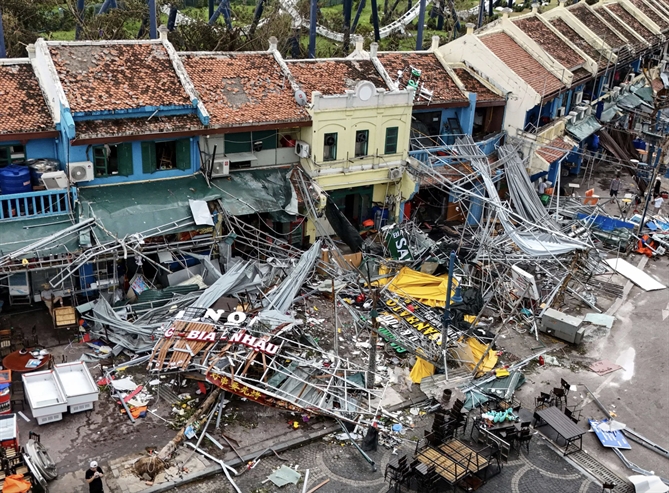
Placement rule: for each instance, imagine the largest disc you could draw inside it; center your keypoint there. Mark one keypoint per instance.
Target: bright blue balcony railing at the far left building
(29, 205)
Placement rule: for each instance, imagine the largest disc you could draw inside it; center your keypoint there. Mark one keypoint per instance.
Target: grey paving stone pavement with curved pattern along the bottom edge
(541, 470)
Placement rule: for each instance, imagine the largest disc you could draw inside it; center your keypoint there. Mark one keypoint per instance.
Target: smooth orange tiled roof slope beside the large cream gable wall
(522, 63)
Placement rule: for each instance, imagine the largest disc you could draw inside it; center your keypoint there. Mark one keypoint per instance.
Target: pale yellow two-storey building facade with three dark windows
(356, 150)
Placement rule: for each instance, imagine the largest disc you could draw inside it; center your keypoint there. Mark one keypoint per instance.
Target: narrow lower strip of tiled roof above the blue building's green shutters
(123, 127)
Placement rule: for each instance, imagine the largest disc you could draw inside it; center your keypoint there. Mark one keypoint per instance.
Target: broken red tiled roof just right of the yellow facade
(434, 76)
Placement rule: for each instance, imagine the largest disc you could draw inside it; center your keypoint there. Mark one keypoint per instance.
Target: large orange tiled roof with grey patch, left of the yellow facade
(243, 89)
